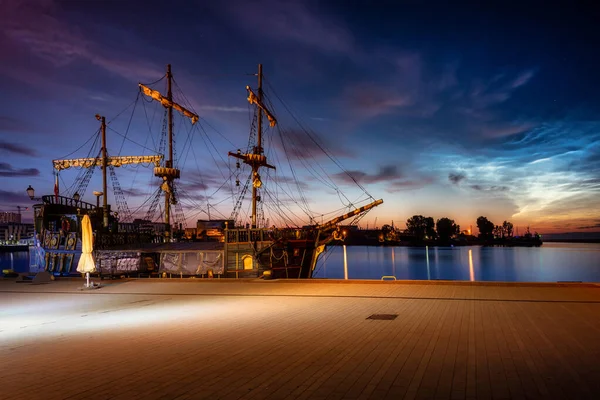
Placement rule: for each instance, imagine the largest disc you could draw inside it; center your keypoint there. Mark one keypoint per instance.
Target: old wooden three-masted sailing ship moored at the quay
(127, 246)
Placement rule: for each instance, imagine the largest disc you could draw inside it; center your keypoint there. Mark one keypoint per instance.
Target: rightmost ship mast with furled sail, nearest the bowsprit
(257, 159)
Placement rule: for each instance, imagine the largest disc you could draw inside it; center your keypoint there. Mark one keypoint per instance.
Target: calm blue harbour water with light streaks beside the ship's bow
(551, 262)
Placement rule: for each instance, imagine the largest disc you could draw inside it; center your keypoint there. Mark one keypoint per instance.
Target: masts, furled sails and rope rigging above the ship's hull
(280, 188)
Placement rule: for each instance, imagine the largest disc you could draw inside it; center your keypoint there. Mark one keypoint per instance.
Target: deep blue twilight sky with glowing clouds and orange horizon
(440, 110)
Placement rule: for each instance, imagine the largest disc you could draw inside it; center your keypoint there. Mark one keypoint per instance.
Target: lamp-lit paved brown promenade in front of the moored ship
(195, 339)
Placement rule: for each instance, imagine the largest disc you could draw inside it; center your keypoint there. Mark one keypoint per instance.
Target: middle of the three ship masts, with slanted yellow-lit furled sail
(168, 173)
